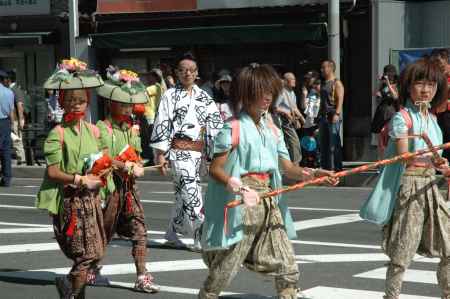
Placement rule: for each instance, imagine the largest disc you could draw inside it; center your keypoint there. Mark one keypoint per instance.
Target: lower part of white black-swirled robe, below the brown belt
(187, 215)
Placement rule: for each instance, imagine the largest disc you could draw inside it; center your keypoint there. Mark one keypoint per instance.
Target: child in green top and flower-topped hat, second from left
(123, 212)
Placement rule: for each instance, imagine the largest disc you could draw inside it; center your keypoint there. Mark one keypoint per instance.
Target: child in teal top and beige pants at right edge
(418, 220)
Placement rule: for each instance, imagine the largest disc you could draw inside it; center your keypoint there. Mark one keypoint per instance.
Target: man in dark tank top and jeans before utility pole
(331, 103)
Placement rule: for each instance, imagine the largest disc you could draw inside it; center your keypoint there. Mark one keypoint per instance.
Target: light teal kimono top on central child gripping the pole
(257, 151)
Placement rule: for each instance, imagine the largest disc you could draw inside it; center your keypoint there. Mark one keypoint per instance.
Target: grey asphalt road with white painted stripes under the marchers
(339, 255)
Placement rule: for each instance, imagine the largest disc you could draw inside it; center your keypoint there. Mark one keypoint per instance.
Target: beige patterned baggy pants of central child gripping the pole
(265, 248)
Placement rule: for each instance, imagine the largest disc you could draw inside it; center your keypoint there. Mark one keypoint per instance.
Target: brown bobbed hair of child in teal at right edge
(423, 69)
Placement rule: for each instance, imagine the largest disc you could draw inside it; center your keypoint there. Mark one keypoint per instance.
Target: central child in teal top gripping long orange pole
(246, 169)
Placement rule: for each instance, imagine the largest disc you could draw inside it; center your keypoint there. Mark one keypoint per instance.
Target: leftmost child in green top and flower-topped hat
(69, 194)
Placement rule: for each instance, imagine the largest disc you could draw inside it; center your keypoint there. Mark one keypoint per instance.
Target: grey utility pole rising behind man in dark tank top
(334, 50)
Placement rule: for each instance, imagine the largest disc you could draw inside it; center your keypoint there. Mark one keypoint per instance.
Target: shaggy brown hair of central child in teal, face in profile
(252, 83)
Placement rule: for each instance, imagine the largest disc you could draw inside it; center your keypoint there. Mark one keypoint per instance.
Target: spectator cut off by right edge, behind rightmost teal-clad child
(441, 56)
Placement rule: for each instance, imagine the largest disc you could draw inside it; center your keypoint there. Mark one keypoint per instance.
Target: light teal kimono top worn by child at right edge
(381, 202)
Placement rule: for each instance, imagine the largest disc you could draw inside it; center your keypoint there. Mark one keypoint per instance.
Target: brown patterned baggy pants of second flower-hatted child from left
(126, 217)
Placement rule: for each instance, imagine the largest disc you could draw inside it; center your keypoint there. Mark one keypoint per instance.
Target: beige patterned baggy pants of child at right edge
(420, 224)
